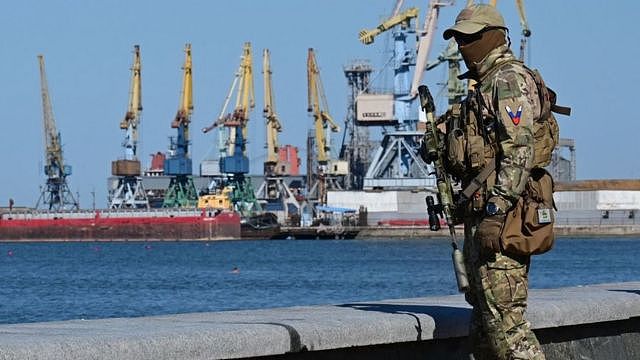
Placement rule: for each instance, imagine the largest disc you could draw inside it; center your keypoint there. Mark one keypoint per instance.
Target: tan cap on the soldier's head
(475, 18)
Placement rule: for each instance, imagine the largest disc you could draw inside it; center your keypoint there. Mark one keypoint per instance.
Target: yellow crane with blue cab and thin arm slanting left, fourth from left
(234, 163)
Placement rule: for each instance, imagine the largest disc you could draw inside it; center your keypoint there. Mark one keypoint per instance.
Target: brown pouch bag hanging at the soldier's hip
(528, 228)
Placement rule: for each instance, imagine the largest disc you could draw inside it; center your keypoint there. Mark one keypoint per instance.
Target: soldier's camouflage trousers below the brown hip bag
(498, 294)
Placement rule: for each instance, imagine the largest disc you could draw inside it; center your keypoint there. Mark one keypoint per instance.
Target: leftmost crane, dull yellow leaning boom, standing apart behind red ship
(55, 194)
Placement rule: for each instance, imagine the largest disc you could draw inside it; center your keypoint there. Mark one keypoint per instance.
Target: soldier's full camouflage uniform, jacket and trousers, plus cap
(507, 97)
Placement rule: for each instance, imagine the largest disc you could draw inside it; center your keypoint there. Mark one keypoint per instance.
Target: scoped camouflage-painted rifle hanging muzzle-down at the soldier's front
(445, 207)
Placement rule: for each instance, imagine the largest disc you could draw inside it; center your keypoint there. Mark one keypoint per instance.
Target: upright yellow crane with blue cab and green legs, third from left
(181, 191)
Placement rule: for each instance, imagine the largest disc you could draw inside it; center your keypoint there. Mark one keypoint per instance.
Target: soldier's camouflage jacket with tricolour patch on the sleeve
(510, 97)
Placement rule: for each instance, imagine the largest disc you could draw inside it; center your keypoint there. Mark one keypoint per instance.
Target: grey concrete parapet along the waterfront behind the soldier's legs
(590, 322)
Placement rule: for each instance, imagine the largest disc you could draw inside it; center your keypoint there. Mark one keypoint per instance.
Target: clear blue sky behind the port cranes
(587, 51)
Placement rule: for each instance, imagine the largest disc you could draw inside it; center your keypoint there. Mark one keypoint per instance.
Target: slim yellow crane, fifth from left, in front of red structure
(273, 123)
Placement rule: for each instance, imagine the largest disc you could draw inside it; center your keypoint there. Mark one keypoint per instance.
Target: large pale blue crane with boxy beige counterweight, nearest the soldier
(396, 164)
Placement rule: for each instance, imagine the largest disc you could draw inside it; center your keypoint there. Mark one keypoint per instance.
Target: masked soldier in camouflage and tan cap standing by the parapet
(497, 120)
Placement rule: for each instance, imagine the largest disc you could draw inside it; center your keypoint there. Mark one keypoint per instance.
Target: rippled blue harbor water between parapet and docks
(89, 280)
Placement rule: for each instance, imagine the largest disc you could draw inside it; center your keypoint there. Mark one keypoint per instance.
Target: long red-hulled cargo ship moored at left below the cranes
(111, 224)
